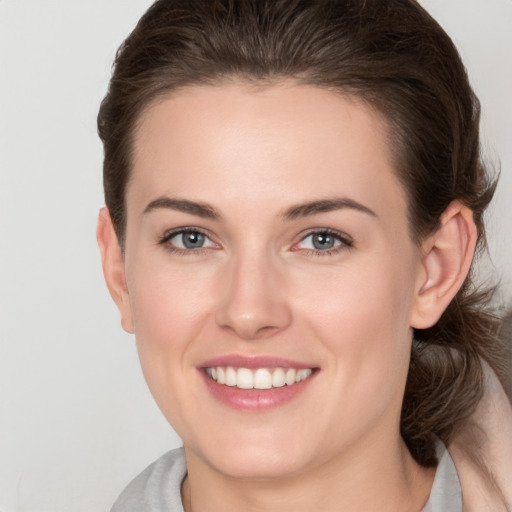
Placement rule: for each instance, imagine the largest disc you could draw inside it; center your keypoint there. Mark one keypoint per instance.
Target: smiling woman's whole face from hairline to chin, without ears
(267, 234)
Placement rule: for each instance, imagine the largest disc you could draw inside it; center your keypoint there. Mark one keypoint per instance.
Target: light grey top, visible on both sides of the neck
(158, 487)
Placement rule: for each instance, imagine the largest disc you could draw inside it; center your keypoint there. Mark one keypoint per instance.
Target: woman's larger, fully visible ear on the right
(446, 260)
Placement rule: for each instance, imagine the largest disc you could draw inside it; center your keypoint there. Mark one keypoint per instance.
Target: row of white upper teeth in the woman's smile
(261, 378)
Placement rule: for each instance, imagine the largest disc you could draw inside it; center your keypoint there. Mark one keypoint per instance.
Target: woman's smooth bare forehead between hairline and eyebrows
(284, 142)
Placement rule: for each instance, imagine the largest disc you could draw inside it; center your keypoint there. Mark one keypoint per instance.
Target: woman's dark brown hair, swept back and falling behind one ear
(395, 57)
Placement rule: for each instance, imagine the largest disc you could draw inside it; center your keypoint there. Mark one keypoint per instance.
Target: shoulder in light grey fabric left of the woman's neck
(157, 488)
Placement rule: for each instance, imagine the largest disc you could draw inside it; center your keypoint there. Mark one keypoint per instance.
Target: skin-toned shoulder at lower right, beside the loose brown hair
(488, 441)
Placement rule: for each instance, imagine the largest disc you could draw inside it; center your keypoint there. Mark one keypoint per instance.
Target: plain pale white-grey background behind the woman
(76, 420)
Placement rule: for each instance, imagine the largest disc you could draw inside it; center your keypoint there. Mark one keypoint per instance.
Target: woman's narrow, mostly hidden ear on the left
(113, 267)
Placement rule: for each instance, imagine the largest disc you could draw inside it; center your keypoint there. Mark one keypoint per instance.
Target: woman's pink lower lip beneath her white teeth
(255, 399)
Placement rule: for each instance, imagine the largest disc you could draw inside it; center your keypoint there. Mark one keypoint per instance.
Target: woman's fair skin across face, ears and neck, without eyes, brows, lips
(258, 287)
